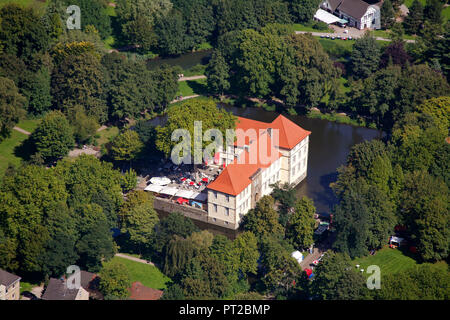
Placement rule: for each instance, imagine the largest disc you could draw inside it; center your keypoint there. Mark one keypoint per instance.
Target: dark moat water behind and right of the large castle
(329, 146)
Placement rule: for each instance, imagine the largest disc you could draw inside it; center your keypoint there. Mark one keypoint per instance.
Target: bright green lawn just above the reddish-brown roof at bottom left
(148, 275)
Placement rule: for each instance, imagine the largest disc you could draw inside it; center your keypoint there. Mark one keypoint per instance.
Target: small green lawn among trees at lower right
(389, 260)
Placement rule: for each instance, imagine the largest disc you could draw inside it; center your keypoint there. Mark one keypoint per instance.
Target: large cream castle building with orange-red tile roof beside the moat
(263, 154)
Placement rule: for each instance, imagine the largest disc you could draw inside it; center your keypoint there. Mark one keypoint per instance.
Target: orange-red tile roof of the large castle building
(237, 175)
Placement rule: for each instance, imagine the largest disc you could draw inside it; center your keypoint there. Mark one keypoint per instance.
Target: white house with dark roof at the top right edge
(358, 13)
